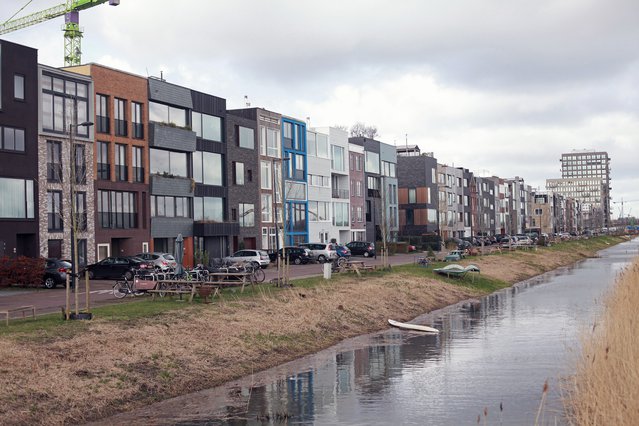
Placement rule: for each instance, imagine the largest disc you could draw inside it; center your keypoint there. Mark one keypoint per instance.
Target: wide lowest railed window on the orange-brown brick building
(117, 209)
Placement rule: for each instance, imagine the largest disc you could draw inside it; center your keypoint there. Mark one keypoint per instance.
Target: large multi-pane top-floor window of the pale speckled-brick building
(61, 100)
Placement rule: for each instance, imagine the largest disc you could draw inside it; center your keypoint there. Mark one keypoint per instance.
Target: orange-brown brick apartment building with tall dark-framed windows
(121, 161)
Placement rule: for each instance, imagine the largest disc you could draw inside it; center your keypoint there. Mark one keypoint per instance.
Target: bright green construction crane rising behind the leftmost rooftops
(72, 31)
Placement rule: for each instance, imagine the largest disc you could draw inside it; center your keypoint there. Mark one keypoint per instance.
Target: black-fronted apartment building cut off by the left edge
(19, 94)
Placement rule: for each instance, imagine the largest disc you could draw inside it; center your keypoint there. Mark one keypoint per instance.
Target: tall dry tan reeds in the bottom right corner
(605, 388)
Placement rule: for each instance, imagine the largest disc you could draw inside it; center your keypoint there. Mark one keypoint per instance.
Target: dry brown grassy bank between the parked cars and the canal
(136, 353)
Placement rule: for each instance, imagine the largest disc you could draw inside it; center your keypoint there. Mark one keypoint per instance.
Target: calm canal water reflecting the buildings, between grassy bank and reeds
(487, 366)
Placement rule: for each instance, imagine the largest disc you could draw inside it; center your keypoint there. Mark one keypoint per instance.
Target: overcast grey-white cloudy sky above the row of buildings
(499, 87)
